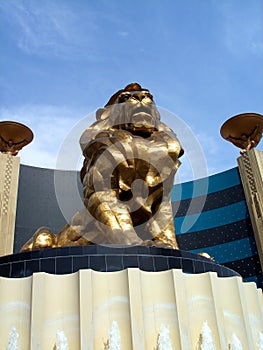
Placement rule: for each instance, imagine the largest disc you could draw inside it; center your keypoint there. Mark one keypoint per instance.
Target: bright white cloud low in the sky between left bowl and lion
(52, 126)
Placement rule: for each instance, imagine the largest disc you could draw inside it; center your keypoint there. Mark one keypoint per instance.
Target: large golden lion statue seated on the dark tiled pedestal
(131, 158)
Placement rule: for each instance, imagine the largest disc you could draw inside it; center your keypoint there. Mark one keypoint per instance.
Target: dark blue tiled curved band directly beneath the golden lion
(67, 260)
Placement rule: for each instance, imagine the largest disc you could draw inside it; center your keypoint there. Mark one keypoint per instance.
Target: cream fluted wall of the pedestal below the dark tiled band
(90, 310)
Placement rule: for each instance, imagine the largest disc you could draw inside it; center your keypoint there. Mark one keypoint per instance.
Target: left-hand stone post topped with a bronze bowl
(13, 136)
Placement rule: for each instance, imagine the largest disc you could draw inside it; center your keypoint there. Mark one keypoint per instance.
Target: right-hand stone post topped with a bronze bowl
(245, 131)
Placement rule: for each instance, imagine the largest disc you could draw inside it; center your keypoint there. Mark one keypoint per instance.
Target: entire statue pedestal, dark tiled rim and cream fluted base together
(138, 294)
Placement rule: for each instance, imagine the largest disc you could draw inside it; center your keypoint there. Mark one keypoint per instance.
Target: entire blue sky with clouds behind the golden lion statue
(61, 60)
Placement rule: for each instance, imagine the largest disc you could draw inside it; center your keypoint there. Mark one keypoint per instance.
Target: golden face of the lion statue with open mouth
(134, 111)
